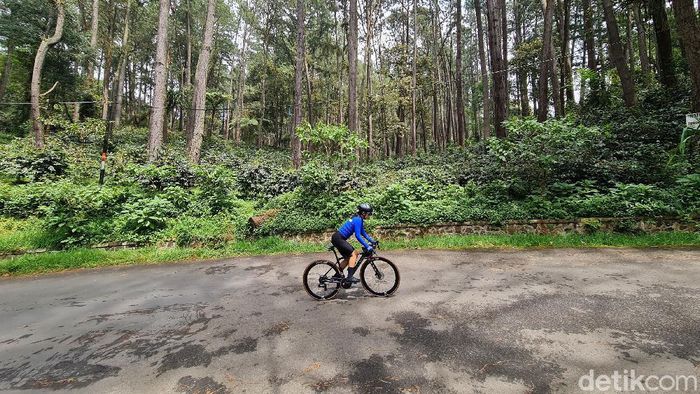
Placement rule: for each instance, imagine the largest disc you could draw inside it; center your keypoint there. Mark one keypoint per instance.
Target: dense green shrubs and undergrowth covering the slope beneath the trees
(558, 169)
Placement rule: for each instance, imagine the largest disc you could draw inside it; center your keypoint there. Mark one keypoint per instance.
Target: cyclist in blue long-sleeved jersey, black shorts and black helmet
(354, 225)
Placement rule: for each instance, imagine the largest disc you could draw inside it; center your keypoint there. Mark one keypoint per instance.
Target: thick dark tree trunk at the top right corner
(689, 30)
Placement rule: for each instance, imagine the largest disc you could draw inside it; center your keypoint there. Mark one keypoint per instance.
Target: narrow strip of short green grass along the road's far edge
(90, 258)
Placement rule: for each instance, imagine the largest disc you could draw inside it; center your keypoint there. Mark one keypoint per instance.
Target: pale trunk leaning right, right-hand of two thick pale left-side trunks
(196, 128)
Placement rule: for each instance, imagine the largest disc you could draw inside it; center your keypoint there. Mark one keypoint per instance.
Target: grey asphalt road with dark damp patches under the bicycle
(479, 321)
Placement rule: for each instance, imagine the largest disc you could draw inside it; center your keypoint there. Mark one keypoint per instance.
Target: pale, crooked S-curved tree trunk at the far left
(35, 89)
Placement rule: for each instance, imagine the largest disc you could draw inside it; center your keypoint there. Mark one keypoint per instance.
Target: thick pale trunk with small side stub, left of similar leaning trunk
(155, 133)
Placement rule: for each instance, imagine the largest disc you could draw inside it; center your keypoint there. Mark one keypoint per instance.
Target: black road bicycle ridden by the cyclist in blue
(379, 276)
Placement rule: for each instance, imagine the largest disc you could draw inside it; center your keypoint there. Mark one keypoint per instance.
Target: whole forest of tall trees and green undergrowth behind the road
(203, 113)
